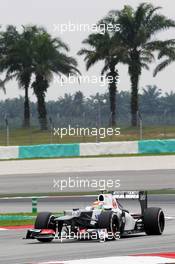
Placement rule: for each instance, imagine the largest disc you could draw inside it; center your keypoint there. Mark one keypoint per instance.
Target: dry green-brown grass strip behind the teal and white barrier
(34, 136)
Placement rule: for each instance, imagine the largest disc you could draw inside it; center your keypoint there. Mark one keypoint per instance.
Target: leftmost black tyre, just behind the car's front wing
(43, 221)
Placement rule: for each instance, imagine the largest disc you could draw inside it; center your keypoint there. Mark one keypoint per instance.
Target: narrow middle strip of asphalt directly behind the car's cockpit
(57, 204)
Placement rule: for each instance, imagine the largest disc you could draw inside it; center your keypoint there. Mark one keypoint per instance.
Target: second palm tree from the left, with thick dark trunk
(49, 59)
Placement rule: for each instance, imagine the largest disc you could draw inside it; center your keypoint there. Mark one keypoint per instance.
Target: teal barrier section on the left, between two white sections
(49, 151)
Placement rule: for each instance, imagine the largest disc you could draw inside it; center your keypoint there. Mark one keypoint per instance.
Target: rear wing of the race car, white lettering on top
(141, 196)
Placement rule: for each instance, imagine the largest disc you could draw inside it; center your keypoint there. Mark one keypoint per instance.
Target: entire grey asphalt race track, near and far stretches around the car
(15, 250)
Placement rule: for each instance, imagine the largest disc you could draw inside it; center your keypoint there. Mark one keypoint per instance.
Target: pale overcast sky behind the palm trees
(53, 13)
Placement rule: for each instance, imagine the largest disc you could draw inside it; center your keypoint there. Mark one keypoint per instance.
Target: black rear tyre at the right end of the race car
(154, 221)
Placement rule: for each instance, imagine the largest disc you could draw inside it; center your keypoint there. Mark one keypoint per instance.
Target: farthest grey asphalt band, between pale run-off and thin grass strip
(150, 179)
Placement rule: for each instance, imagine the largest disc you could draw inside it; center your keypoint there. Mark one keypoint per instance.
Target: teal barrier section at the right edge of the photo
(157, 146)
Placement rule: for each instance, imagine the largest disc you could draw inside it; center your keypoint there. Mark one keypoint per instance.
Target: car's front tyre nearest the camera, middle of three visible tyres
(109, 220)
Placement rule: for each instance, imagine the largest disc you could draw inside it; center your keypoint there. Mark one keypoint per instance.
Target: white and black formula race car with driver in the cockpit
(105, 219)
